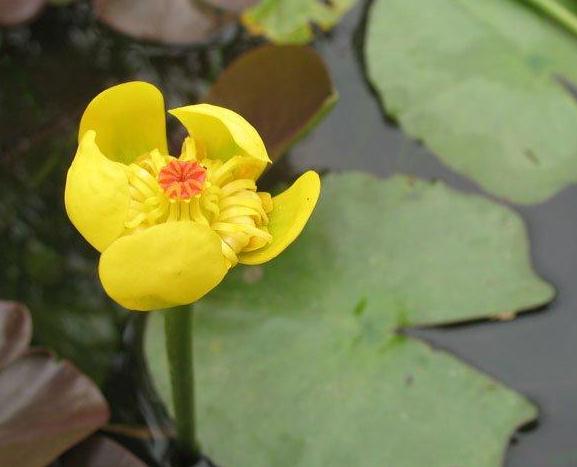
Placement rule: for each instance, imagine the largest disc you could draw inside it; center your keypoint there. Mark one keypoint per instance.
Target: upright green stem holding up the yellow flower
(178, 330)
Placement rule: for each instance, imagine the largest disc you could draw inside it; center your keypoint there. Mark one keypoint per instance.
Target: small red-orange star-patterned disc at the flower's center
(182, 179)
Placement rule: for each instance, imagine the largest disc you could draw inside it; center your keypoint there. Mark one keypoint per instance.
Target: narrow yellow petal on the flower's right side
(290, 213)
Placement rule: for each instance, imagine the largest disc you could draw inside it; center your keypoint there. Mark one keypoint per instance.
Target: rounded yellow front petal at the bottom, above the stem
(164, 266)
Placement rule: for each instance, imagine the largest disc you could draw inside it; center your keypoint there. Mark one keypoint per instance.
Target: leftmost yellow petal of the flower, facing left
(96, 194)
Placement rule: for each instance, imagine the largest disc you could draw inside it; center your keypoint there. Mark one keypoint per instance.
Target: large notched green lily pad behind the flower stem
(301, 363)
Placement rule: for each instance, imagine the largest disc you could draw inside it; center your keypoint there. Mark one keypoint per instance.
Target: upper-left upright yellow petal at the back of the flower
(129, 121)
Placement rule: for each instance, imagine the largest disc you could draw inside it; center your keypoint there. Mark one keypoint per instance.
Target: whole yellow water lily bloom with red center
(169, 229)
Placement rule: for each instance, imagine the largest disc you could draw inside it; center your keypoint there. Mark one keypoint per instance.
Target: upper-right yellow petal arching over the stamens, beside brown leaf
(223, 134)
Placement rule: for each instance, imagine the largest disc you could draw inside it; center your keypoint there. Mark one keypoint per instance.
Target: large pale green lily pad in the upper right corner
(486, 97)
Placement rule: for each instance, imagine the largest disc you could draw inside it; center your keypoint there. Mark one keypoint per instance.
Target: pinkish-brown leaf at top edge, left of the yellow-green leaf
(171, 21)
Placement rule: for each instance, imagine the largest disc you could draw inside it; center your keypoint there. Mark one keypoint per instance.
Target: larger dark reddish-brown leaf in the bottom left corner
(47, 407)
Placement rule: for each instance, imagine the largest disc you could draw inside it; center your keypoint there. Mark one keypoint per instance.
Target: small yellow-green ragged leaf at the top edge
(289, 21)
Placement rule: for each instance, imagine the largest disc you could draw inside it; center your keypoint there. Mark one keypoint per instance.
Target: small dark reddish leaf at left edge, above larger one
(15, 331)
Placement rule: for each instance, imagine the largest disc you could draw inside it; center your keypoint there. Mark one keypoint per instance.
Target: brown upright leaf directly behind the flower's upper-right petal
(282, 90)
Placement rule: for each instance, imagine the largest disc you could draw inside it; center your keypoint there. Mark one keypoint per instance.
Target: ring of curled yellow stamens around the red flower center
(228, 203)
